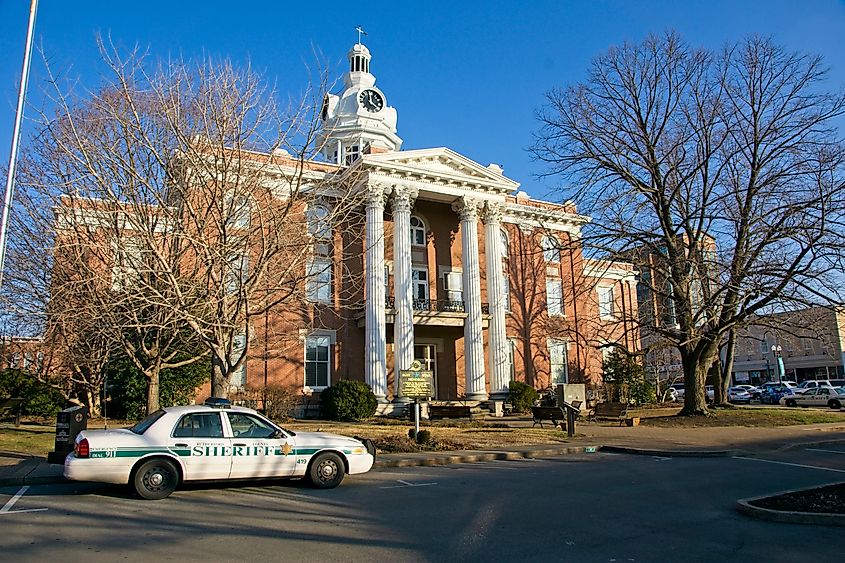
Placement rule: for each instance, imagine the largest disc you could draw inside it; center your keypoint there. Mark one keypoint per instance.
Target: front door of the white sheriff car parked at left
(259, 449)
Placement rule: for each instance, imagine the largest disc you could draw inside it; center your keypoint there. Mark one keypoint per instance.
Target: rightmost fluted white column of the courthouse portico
(497, 354)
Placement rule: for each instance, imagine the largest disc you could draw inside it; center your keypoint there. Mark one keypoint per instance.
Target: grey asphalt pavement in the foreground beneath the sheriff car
(585, 507)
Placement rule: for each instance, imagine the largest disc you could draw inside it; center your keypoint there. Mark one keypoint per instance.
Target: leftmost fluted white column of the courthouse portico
(375, 347)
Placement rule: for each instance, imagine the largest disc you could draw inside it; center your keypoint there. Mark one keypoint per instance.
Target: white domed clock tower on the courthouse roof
(359, 119)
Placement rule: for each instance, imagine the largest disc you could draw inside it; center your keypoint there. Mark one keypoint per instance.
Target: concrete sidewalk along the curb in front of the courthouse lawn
(18, 469)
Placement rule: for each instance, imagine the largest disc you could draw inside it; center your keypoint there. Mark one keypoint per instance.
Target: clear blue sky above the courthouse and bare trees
(467, 75)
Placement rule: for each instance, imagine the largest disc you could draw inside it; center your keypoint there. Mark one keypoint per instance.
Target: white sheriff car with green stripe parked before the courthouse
(212, 442)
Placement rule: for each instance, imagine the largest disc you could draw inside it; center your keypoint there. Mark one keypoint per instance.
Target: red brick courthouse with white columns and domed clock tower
(459, 269)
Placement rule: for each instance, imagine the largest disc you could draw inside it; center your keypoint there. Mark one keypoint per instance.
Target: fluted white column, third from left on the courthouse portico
(473, 340)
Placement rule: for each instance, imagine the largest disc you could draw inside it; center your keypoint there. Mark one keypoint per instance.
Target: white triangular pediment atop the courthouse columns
(443, 164)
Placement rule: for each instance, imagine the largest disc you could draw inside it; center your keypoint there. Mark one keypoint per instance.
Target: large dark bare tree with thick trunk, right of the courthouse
(725, 169)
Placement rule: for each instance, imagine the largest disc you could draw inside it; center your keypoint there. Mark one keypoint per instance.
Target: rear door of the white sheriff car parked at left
(198, 439)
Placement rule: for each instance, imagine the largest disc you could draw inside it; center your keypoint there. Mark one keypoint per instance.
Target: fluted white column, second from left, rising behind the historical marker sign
(403, 320)
